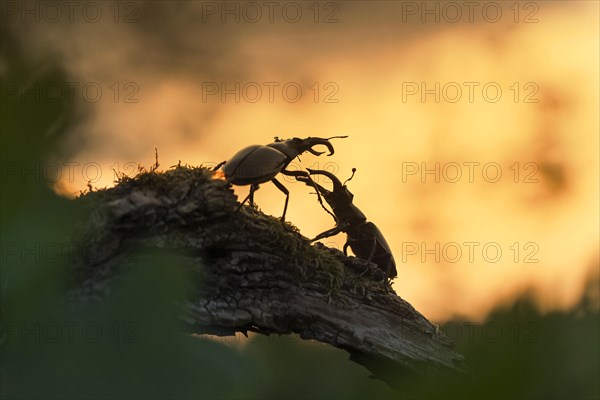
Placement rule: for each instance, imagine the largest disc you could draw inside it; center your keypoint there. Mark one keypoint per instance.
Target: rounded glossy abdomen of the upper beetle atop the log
(253, 165)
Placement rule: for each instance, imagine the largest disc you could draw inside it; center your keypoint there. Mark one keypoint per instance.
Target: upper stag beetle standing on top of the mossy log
(258, 164)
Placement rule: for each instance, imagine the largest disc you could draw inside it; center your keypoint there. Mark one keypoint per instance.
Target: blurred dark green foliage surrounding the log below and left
(132, 346)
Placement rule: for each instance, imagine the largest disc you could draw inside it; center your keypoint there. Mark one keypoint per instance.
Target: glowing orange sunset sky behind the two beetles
(515, 98)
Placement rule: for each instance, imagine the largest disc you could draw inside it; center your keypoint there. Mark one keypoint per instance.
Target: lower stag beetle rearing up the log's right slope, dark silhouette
(364, 238)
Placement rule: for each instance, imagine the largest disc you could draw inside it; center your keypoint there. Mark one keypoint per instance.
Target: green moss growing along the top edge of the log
(310, 263)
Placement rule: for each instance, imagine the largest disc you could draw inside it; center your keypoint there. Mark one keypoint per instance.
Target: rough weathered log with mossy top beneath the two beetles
(253, 273)
